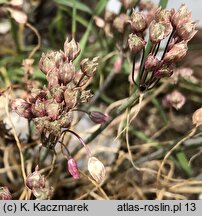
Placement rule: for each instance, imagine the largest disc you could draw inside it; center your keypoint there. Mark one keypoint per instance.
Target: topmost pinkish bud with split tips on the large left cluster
(71, 49)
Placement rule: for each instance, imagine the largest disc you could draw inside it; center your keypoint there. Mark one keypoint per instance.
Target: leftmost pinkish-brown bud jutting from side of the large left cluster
(22, 108)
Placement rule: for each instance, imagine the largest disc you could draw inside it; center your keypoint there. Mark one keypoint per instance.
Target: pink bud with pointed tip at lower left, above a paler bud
(35, 180)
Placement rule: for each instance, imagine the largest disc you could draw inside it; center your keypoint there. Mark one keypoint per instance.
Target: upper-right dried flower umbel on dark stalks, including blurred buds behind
(176, 28)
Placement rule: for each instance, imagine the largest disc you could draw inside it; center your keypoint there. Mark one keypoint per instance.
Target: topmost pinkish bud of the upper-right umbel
(180, 17)
